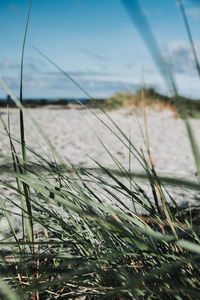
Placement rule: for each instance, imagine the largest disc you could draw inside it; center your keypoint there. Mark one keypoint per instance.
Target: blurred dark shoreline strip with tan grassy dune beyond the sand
(179, 105)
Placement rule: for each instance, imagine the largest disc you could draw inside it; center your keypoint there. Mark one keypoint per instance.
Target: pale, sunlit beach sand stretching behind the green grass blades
(75, 133)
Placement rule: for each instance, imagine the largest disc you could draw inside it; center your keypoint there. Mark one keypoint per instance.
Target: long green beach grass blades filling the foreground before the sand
(81, 247)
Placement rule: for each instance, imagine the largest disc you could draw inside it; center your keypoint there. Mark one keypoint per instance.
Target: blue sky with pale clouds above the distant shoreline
(97, 43)
